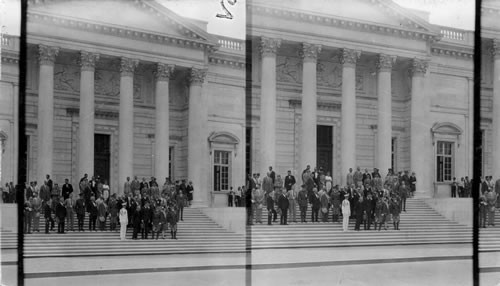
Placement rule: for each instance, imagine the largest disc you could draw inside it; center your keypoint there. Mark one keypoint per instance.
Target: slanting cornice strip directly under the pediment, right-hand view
(326, 20)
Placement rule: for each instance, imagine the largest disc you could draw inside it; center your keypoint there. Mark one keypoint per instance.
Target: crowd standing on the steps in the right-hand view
(366, 197)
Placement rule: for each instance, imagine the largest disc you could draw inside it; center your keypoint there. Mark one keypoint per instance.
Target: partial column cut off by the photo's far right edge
(496, 110)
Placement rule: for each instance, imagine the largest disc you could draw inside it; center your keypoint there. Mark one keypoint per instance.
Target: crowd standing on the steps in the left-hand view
(144, 206)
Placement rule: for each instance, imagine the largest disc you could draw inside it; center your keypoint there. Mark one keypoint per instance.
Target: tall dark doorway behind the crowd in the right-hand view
(324, 148)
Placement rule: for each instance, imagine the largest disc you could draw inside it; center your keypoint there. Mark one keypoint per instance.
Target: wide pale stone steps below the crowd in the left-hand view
(196, 234)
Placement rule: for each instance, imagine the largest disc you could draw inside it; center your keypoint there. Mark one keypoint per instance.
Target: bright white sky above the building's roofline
(452, 13)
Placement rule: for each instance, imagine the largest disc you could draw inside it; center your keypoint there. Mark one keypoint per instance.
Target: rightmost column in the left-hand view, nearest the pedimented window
(197, 139)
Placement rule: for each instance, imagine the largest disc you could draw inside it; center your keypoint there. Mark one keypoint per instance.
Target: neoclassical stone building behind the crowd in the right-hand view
(359, 83)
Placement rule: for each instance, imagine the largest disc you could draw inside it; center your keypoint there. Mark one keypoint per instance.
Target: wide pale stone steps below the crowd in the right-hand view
(419, 225)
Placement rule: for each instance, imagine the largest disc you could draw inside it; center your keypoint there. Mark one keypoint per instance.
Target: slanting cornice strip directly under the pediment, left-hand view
(120, 31)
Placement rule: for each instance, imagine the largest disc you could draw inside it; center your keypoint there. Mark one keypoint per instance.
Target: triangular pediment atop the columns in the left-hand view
(147, 15)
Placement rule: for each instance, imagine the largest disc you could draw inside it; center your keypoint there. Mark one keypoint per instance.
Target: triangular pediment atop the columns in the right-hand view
(377, 12)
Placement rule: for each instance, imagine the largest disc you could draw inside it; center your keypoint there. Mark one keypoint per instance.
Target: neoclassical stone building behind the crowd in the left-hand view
(126, 88)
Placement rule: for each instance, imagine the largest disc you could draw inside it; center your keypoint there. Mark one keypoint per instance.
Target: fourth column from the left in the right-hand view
(384, 119)
